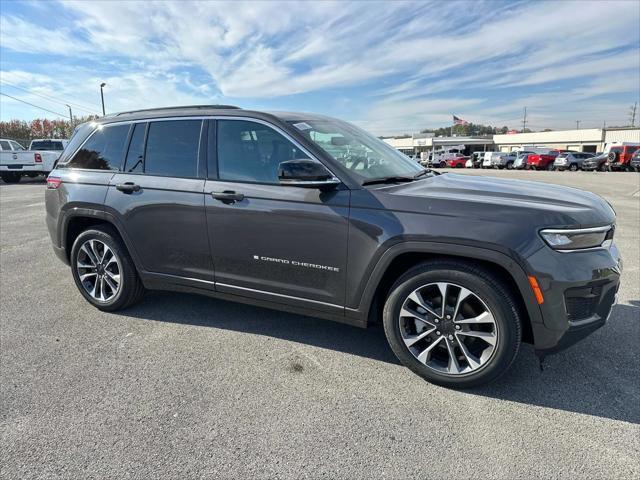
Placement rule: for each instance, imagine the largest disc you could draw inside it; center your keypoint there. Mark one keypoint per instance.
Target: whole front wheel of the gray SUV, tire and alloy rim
(470, 341)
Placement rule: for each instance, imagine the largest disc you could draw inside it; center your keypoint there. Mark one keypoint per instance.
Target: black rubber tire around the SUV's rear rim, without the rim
(130, 290)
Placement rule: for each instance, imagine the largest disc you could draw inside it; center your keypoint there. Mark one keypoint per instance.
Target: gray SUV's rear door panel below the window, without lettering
(166, 222)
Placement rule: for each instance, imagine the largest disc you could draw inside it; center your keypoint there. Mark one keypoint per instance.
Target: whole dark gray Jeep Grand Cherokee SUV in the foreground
(312, 215)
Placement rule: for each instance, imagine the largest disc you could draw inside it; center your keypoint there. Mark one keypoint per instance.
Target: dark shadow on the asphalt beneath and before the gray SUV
(597, 377)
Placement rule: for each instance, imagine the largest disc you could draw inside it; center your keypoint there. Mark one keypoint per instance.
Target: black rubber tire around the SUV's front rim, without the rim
(483, 283)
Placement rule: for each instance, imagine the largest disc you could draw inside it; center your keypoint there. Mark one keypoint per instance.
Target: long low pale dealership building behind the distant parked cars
(584, 140)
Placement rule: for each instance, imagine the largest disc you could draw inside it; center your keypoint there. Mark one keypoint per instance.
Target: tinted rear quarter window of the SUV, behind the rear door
(103, 150)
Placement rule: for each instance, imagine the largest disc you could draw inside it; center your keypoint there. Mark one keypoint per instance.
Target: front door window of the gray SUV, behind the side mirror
(252, 152)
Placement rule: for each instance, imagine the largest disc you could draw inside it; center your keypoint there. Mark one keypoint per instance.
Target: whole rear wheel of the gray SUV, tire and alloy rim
(104, 271)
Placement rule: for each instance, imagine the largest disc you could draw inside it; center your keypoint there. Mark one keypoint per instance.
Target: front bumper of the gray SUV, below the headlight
(579, 289)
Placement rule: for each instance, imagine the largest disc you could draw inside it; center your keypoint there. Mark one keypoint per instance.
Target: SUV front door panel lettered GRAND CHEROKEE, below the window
(279, 242)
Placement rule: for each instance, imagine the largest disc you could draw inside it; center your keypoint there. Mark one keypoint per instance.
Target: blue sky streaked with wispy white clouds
(389, 67)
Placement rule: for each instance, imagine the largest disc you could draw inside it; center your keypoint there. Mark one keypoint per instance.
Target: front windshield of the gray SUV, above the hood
(364, 155)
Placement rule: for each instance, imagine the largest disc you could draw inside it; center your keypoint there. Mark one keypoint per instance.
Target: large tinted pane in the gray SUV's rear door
(172, 148)
